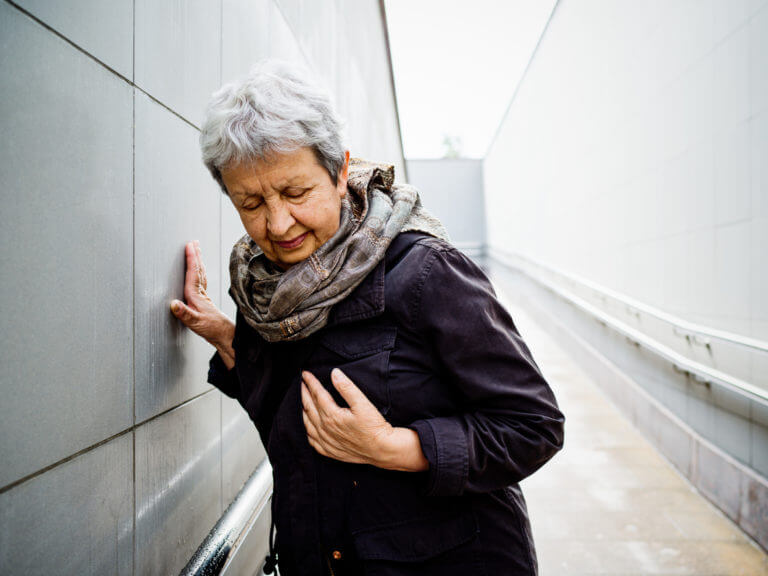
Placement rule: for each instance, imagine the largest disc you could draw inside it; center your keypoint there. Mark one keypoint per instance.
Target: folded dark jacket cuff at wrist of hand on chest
(444, 443)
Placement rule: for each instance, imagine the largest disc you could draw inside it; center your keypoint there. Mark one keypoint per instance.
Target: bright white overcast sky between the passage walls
(456, 65)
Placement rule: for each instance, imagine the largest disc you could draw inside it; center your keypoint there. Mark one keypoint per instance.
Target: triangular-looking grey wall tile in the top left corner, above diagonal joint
(103, 28)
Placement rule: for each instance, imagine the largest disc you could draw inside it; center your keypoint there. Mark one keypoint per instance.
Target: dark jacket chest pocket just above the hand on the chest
(362, 353)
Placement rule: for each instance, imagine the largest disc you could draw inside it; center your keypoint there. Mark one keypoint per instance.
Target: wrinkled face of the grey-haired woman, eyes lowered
(288, 204)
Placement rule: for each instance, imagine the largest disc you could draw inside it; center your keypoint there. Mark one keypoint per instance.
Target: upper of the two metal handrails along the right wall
(680, 326)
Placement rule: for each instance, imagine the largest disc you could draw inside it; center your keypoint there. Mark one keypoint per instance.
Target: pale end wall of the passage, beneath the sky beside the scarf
(452, 189)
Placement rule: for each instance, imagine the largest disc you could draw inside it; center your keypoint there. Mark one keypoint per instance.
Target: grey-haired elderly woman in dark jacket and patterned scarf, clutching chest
(397, 402)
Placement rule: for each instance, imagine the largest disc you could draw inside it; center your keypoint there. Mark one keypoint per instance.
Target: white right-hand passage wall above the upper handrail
(636, 155)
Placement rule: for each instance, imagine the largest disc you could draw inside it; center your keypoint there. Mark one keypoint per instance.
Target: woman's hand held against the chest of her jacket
(358, 434)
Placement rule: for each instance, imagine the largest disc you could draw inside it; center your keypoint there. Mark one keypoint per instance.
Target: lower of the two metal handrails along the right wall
(696, 370)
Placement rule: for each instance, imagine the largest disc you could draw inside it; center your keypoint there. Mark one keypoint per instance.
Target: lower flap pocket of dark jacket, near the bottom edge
(416, 540)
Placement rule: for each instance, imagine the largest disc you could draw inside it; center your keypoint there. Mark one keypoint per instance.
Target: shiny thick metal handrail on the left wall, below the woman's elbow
(212, 555)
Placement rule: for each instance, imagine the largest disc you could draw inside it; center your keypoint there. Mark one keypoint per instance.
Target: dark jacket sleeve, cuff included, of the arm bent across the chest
(511, 424)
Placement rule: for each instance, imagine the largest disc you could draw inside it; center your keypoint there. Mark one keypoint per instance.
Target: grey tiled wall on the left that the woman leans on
(117, 457)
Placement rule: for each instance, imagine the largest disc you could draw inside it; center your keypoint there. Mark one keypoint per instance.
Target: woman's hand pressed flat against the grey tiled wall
(200, 314)
